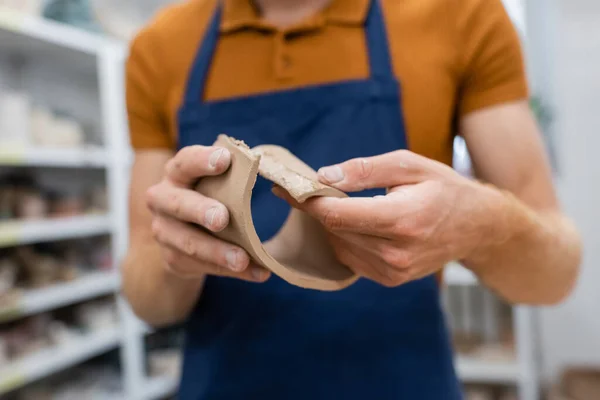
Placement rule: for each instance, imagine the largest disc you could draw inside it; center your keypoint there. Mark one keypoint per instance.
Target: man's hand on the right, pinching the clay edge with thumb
(430, 215)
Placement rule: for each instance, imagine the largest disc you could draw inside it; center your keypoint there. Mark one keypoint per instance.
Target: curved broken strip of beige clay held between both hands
(299, 253)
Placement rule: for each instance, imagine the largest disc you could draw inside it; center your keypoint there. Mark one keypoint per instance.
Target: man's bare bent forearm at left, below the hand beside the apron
(156, 295)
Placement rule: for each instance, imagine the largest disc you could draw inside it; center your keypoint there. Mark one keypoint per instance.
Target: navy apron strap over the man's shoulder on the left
(201, 66)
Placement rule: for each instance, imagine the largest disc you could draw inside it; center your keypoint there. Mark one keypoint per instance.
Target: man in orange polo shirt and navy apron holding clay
(347, 85)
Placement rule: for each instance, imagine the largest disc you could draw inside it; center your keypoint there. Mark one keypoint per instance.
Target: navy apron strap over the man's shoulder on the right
(377, 43)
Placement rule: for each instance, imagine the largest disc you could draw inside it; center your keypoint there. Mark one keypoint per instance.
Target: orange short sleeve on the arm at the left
(145, 86)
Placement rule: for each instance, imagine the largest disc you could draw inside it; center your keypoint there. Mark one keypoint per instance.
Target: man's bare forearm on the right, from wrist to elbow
(526, 256)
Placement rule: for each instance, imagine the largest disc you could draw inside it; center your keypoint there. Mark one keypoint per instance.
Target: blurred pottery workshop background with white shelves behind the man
(65, 331)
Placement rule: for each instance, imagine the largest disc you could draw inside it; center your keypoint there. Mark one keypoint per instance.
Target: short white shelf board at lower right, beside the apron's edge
(474, 370)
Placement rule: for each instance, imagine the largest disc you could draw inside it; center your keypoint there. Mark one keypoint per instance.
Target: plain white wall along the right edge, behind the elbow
(564, 49)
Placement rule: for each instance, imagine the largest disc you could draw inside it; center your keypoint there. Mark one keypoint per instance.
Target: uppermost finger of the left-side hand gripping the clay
(194, 162)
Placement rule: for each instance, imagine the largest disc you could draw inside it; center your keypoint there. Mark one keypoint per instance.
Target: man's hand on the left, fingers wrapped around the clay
(179, 212)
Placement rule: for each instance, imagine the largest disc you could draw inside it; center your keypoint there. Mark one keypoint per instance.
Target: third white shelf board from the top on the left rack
(13, 233)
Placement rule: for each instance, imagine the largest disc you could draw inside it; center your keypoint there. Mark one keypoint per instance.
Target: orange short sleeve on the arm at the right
(493, 68)
